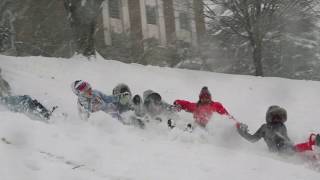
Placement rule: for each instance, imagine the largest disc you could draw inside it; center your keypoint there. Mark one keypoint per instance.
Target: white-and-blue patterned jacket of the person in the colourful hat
(98, 102)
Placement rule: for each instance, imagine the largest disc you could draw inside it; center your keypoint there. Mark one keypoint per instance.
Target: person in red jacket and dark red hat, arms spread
(203, 109)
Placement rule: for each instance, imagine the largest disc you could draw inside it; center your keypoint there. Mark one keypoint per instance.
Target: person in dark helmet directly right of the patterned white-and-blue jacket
(123, 94)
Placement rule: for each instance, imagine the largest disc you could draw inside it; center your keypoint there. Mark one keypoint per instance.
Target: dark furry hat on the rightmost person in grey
(276, 114)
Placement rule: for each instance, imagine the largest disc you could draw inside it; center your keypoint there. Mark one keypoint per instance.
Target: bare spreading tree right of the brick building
(254, 20)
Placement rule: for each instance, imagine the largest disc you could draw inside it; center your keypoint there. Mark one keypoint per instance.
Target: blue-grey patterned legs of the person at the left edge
(27, 105)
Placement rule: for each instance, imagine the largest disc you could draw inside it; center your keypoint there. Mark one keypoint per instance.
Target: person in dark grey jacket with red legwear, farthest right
(274, 133)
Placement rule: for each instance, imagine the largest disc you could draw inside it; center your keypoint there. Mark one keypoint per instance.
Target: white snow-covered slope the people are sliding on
(102, 148)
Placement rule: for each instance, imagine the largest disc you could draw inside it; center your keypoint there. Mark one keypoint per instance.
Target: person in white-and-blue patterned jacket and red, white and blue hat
(90, 101)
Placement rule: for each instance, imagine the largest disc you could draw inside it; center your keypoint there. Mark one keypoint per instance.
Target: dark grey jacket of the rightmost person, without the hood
(274, 134)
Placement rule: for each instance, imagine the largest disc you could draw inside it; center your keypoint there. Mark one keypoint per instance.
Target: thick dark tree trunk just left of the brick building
(82, 15)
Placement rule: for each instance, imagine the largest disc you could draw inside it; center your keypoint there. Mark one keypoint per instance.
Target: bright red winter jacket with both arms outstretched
(201, 112)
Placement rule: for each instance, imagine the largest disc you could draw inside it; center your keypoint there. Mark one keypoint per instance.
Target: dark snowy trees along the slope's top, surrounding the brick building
(256, 37)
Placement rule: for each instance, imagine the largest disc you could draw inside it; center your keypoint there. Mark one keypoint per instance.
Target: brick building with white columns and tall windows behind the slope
(167, 21)
